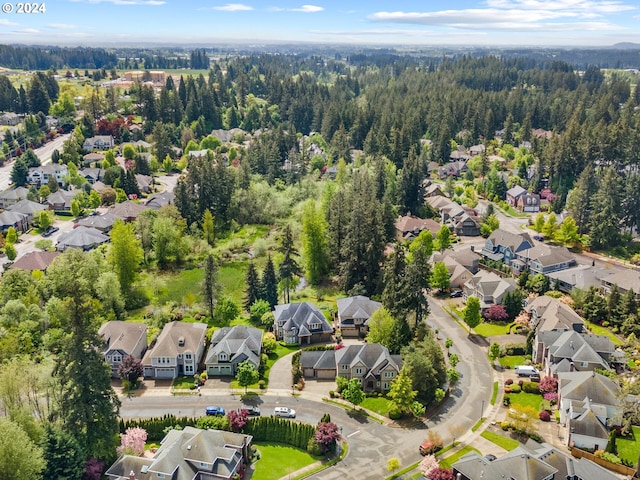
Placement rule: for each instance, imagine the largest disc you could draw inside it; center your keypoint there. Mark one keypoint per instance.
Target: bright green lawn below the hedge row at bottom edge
(277, 461)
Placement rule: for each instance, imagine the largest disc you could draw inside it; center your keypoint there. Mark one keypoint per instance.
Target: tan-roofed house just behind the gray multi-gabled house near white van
(549, 313)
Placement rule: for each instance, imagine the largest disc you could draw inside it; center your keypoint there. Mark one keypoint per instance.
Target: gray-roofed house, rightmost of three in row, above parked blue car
(230, 346)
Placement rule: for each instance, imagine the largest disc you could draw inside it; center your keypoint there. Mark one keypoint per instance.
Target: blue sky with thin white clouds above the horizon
(377, 22)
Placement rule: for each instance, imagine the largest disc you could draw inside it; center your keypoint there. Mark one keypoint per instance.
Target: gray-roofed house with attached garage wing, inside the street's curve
(371, 364)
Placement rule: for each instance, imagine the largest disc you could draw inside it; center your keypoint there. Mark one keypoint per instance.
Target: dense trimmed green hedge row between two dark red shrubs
(278, 430)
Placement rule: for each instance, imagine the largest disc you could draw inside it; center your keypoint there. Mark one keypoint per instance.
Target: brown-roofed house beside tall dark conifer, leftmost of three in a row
(122, 339)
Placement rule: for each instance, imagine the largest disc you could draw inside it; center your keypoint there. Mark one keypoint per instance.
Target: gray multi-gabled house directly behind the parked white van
(562, 350)
